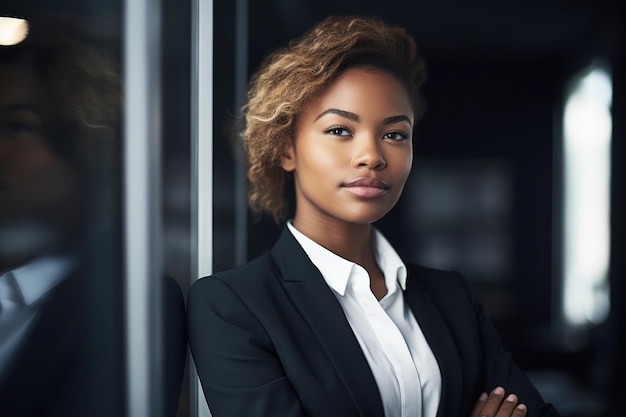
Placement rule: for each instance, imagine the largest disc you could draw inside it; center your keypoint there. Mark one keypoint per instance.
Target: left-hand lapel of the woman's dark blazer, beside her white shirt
(318, 305)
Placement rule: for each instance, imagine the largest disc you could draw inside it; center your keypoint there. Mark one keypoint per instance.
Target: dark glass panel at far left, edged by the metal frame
(61, 347)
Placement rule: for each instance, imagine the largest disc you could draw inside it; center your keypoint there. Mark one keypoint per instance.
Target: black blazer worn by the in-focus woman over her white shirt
(270, 339)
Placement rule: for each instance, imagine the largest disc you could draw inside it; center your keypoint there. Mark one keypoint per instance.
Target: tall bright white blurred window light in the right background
(587, 165)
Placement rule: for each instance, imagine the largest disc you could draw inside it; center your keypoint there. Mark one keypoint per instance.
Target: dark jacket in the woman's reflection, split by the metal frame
(58, 369)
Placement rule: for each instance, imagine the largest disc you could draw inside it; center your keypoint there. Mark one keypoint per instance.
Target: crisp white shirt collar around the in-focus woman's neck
(337, 270)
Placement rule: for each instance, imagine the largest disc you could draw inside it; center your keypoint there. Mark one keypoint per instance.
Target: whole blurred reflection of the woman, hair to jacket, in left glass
(59, 119)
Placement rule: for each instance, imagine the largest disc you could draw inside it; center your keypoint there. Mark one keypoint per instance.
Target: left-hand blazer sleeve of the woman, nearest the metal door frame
(238, 367)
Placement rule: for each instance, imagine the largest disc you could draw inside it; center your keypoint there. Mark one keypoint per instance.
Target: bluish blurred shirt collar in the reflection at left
(38, 277)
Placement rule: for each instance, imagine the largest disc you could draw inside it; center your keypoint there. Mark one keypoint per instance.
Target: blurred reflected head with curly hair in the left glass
(59, 115)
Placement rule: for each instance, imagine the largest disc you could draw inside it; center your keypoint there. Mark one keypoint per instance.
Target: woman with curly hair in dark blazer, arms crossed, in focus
(332, 322)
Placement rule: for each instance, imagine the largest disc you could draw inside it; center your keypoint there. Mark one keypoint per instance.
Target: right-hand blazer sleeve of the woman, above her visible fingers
(499, 367)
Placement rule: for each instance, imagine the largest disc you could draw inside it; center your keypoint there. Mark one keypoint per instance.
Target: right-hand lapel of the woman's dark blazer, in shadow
(440, 341)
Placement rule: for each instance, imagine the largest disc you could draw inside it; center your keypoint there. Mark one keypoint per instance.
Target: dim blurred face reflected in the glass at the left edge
(37, 186)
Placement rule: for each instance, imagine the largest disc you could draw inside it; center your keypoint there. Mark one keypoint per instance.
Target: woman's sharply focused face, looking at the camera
(352, 150)
